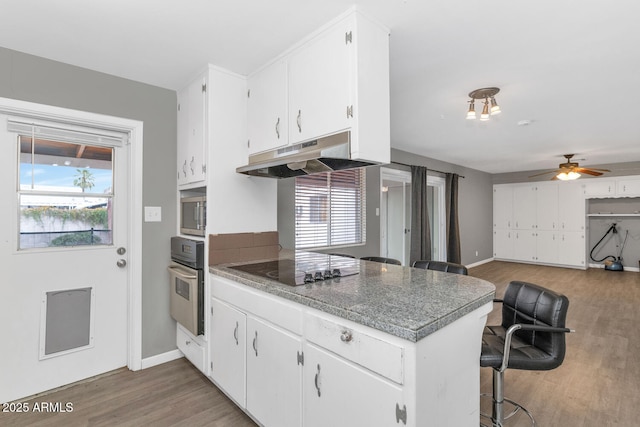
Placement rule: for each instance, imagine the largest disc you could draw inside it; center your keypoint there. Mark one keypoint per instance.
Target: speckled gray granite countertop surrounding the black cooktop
(406, 302)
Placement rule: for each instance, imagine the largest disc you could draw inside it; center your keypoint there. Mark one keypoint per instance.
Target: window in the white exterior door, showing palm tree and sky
(65, 191)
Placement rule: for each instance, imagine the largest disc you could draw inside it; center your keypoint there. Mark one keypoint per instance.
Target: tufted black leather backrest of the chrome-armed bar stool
(532, 304)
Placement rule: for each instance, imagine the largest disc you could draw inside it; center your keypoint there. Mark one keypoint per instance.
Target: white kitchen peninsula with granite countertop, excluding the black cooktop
(388, 345)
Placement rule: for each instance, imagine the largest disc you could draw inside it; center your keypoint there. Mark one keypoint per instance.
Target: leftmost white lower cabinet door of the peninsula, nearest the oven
(227, 346)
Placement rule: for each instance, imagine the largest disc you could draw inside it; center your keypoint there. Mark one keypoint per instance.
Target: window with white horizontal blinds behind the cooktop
(330, 209)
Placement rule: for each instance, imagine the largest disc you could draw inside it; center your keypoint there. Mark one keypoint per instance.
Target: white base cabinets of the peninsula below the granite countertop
(292, 365)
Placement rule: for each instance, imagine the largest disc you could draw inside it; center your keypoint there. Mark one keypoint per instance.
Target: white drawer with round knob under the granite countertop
(357, 345)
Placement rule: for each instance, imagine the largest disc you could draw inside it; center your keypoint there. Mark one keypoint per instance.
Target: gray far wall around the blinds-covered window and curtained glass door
(475, 201)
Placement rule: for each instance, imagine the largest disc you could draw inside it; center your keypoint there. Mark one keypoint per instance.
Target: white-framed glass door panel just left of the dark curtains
(395, 214)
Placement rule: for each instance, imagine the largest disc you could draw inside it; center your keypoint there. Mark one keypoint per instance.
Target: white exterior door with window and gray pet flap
(64, 253)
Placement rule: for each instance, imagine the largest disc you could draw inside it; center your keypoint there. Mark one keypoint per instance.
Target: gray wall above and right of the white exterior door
(34, 79)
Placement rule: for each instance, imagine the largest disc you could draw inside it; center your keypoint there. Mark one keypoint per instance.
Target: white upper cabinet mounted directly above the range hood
(335, 80)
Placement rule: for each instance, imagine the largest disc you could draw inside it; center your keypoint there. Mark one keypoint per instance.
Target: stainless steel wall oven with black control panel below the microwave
(186, 273)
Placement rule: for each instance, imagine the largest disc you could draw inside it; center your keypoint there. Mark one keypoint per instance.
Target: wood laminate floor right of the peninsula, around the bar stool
(599, 382)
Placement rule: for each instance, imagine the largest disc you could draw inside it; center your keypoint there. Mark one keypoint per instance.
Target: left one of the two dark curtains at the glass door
(420, 233)
